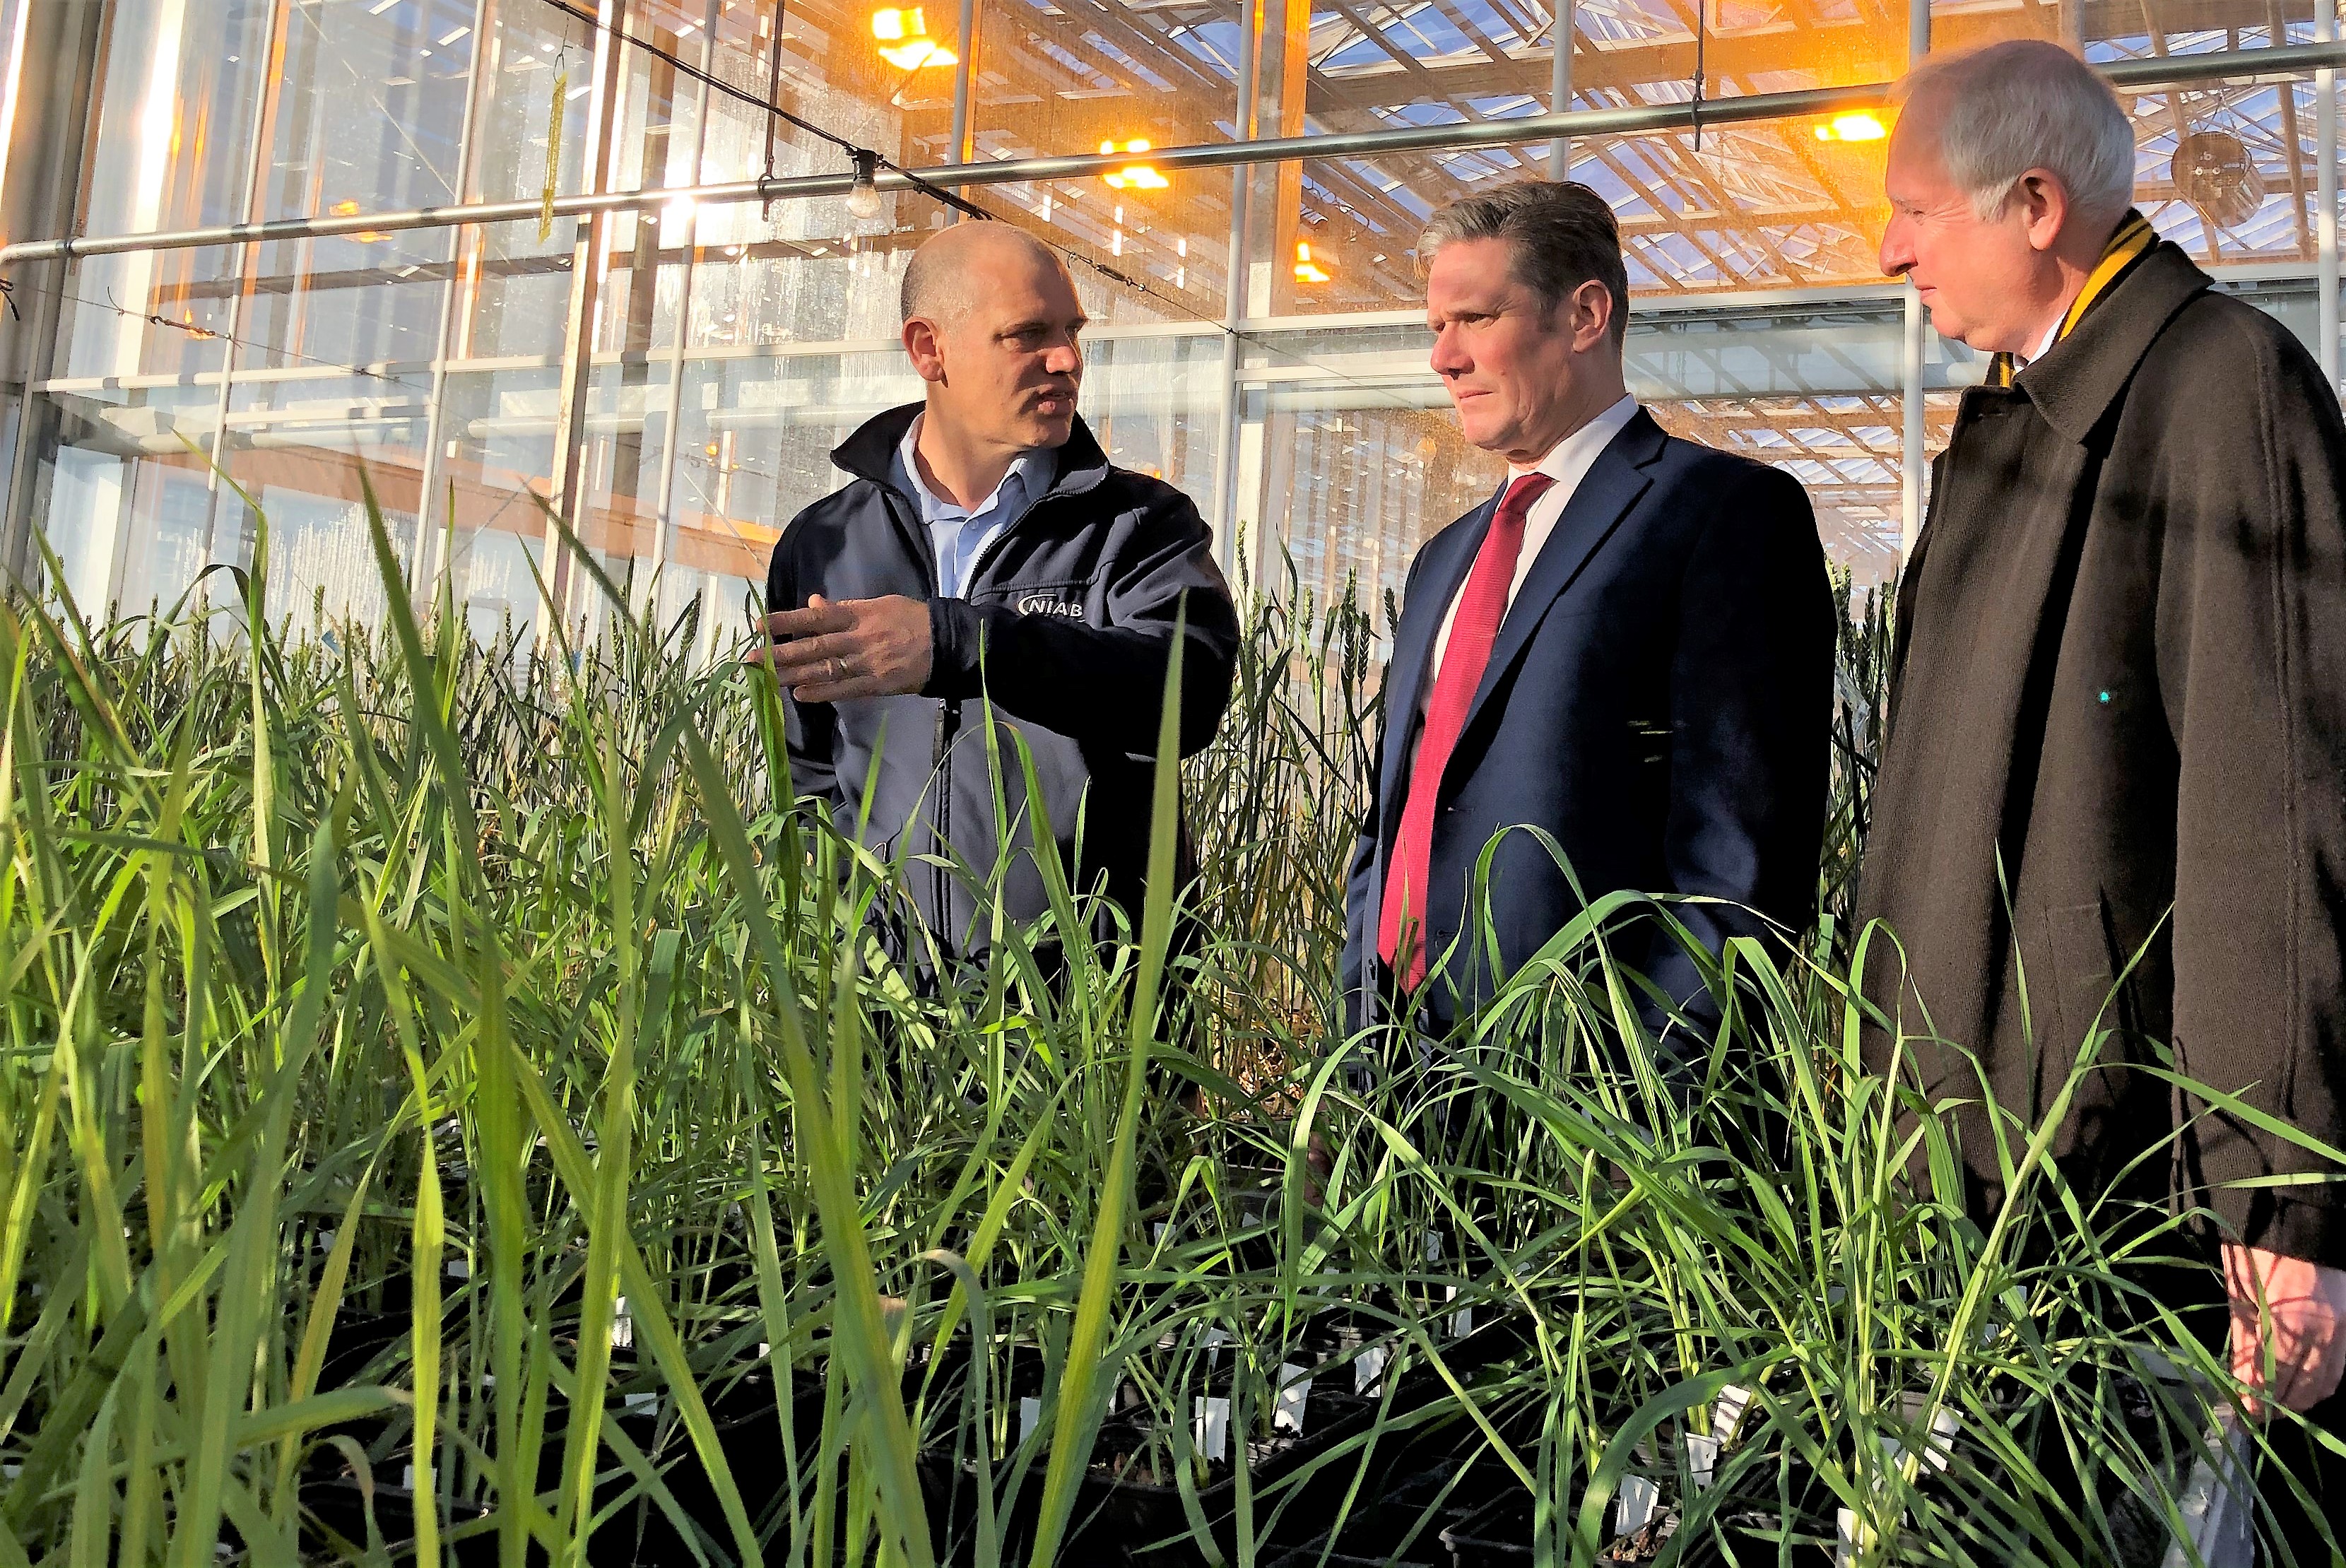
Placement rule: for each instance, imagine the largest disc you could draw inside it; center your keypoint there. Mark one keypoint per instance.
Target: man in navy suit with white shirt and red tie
(1629, 647)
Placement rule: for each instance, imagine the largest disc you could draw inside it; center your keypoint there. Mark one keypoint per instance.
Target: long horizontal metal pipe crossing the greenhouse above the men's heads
(1643, 119)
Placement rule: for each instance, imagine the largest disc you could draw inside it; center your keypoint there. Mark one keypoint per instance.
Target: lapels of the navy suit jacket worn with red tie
(1603, 499)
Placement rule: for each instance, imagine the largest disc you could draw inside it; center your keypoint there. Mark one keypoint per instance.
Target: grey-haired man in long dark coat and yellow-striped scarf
(2115, 783)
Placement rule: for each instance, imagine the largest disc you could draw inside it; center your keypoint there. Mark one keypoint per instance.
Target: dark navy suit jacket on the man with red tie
(1657, 701)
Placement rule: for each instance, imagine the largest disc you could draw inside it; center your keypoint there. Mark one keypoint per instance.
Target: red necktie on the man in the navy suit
(1472, 633)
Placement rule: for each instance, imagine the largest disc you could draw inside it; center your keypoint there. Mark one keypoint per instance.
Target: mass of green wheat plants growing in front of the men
(463, 1109)
